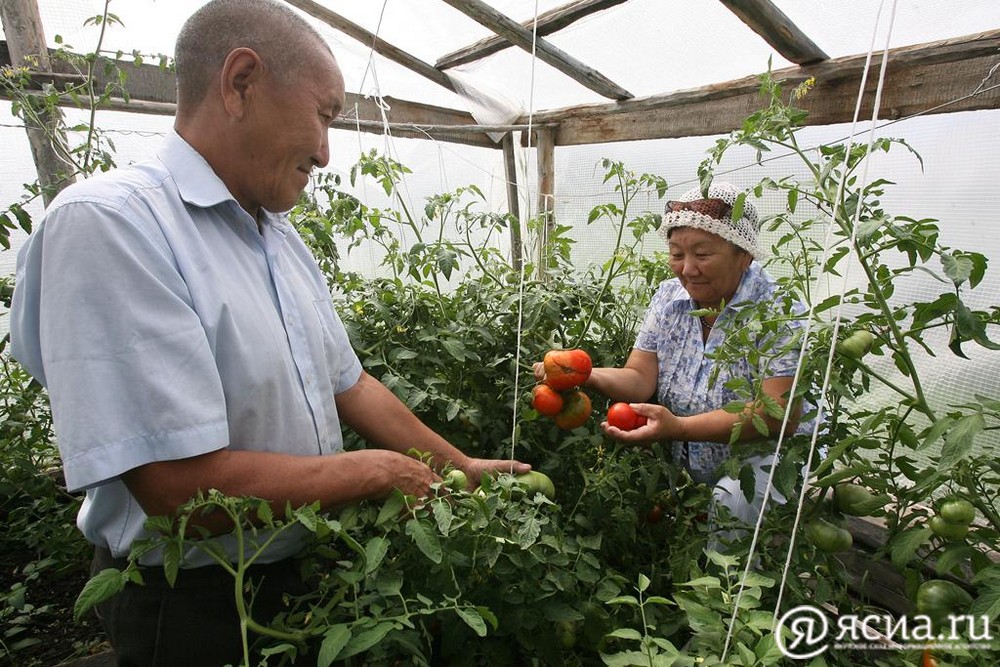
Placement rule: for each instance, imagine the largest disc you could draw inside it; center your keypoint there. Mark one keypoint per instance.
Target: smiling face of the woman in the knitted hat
(709, 267)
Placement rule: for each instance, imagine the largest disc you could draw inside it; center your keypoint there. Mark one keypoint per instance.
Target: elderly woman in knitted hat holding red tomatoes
(712, 258)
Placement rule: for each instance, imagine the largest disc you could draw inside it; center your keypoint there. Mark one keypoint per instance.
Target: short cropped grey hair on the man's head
(272, 29)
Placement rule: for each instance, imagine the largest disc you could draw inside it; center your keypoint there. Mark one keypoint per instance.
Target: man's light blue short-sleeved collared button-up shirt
(165, 323)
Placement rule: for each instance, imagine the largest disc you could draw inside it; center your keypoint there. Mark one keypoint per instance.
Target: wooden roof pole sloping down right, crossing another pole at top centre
(502, 25)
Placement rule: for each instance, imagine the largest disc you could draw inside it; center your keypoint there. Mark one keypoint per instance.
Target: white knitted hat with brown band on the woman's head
(697, 211)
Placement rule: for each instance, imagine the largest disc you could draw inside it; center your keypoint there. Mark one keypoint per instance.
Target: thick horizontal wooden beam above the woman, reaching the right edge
(937, 77)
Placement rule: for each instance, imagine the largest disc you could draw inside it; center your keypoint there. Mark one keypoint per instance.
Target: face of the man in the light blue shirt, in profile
(288, 133)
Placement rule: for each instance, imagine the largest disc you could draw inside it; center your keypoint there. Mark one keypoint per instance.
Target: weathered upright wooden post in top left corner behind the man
(26, 41)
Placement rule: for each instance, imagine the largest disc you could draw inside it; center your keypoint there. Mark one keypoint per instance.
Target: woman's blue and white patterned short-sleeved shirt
(684, 379)
